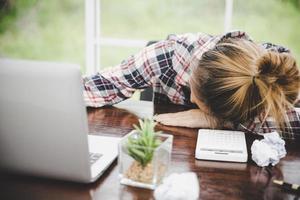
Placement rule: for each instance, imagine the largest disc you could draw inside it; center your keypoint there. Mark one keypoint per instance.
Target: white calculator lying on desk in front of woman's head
(221, 145)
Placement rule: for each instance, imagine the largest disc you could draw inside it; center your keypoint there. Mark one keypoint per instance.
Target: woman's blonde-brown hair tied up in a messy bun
(239, 80)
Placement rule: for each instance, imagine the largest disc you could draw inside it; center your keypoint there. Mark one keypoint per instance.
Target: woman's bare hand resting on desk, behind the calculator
(194, 118)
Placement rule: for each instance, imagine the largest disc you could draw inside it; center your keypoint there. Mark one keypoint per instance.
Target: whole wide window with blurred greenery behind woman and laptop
(55, 30)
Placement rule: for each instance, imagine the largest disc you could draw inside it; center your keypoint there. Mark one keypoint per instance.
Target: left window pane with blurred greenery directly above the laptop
(42, 30)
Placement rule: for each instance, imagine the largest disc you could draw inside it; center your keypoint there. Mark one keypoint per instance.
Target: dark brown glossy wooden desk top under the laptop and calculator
(218, 180)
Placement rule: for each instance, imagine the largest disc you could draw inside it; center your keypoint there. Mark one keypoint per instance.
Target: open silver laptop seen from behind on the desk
(43, 123)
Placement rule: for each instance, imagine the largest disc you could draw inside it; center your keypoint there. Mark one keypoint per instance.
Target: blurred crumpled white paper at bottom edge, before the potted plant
(184, 186)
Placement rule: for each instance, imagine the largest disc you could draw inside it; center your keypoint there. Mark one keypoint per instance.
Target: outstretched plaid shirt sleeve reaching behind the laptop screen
(137, 72)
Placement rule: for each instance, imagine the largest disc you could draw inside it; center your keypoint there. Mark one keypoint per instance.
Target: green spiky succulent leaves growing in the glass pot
(141, 146)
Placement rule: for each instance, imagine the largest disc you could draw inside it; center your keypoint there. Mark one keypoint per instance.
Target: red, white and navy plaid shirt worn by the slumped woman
(166, 66)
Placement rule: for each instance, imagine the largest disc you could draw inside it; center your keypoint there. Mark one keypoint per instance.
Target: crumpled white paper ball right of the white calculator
(268, 150)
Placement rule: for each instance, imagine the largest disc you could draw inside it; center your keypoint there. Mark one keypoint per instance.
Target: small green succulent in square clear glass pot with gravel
(144, 156)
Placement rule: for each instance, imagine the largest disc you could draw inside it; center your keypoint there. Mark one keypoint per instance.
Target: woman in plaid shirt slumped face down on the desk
(234, 82)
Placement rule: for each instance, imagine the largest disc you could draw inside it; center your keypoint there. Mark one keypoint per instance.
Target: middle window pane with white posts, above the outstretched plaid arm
(127, 25)
